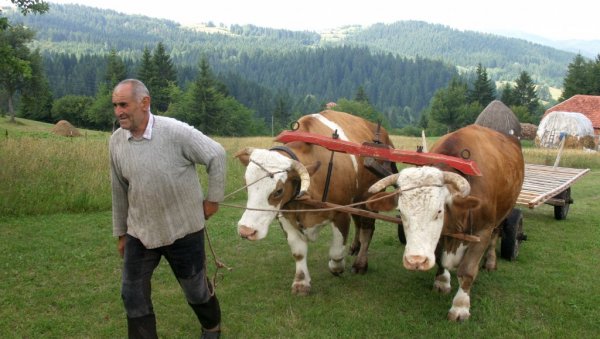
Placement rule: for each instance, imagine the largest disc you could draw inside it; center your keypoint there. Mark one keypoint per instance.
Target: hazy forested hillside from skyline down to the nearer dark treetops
(400, 66)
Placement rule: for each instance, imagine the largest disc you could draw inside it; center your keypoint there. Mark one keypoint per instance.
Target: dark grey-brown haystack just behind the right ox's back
(499, 117)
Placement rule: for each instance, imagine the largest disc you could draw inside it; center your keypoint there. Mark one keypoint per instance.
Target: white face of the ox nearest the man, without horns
(264, 192)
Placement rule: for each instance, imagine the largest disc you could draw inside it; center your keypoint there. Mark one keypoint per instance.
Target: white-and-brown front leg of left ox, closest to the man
(299, 247)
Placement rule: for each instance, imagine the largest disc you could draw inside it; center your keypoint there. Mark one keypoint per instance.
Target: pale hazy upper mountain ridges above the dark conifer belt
(94, 30)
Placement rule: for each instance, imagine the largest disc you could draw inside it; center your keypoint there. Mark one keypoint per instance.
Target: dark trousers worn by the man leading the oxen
(186, 258)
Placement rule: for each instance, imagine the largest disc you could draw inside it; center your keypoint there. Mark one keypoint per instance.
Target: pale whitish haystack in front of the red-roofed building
(576, 127)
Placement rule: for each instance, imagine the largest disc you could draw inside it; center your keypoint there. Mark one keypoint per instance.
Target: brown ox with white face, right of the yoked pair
(436, 202)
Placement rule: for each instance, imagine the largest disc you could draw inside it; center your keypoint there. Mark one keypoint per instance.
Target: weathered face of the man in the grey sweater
(130, 112)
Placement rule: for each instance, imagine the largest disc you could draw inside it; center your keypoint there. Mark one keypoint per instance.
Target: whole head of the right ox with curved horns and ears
(425, 193)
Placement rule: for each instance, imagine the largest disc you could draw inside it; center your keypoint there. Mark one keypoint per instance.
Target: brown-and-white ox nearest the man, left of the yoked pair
(275, 181)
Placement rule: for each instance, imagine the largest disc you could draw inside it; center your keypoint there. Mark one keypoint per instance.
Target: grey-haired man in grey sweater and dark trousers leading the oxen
(158, 206)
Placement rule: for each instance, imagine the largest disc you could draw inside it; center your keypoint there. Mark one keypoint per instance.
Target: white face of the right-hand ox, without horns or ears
(421, 205)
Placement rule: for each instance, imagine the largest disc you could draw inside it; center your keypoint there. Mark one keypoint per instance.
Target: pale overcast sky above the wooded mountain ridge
(573, 19)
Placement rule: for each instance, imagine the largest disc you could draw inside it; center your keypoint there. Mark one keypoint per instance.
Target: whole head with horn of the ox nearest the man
(272, 180)
